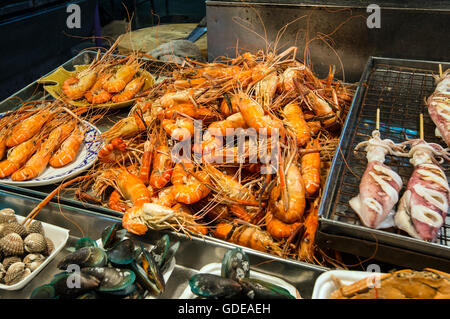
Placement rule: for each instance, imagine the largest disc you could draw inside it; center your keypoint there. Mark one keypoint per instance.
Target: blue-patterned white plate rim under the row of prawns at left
(86, 157)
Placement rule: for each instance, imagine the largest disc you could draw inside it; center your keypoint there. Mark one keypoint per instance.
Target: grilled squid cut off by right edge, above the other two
(439, 106)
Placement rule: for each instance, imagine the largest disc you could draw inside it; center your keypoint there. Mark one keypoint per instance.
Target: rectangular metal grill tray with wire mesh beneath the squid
(399, 89)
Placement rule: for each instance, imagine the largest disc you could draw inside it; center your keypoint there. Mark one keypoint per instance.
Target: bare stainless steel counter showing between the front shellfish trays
(192, 255)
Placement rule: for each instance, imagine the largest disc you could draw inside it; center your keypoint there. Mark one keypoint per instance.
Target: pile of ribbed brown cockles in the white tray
(22, 249)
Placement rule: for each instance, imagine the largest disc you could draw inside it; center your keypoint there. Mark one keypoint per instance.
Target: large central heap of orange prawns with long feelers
(230, 200)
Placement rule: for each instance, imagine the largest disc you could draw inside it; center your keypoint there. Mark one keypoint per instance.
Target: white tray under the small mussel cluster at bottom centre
(215, 269)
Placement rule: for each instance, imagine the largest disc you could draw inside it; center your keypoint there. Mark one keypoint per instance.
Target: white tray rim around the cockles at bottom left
(59, 238)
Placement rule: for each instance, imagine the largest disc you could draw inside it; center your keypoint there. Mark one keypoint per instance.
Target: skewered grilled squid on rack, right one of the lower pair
(423, 207)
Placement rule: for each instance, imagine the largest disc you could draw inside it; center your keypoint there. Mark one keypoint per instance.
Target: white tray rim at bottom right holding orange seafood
(325, 286)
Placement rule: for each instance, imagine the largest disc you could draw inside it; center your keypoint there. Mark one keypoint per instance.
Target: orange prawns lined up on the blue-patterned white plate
(37, 135)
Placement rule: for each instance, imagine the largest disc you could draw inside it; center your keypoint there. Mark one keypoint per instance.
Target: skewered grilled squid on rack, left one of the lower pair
(380, 185)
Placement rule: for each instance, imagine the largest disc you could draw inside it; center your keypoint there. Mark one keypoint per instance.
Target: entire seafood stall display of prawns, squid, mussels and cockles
(254, 176)
